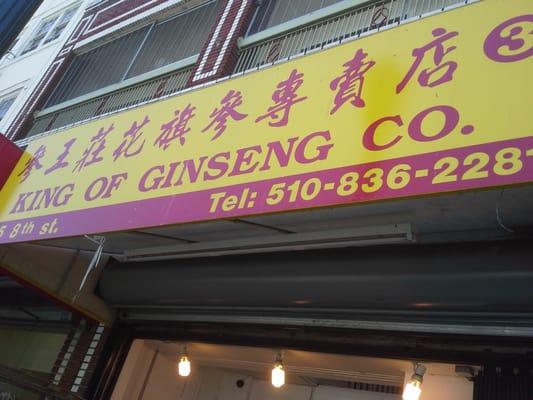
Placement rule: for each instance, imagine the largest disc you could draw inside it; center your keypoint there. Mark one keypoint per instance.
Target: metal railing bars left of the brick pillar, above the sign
(124, 98)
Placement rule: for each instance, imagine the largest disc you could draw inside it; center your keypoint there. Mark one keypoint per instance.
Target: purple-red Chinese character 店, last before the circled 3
(426, 76)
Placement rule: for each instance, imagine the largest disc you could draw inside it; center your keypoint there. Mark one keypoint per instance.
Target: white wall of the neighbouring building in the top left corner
(22, 73)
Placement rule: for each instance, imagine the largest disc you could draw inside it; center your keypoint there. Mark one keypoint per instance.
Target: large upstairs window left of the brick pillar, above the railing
(138, 52)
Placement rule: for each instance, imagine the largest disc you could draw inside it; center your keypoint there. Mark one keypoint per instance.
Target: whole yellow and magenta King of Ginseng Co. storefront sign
(432, 106)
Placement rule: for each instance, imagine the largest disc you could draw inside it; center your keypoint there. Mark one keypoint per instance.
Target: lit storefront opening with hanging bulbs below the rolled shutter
(244, 373)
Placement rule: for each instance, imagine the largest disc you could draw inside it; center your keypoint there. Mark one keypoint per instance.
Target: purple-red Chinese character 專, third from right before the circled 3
(284, 98)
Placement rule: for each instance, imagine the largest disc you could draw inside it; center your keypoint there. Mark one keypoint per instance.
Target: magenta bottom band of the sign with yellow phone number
(501, 163)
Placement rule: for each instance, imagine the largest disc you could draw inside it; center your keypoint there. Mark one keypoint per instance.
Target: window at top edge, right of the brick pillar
(274, 12)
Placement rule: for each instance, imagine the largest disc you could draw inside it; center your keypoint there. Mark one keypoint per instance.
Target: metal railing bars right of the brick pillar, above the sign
(345, 25)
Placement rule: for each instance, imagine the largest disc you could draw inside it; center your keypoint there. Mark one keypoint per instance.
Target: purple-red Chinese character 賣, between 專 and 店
(349, 85)
